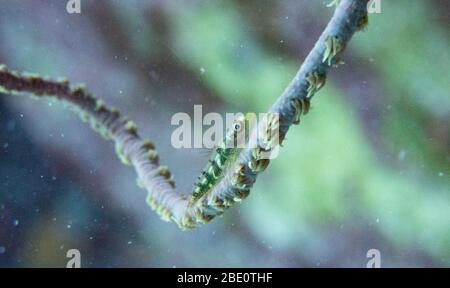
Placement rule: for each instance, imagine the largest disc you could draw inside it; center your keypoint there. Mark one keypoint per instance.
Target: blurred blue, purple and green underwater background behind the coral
(368, 168)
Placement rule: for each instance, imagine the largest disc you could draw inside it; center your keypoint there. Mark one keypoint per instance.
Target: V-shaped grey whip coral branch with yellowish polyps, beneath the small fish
(349, 17)
